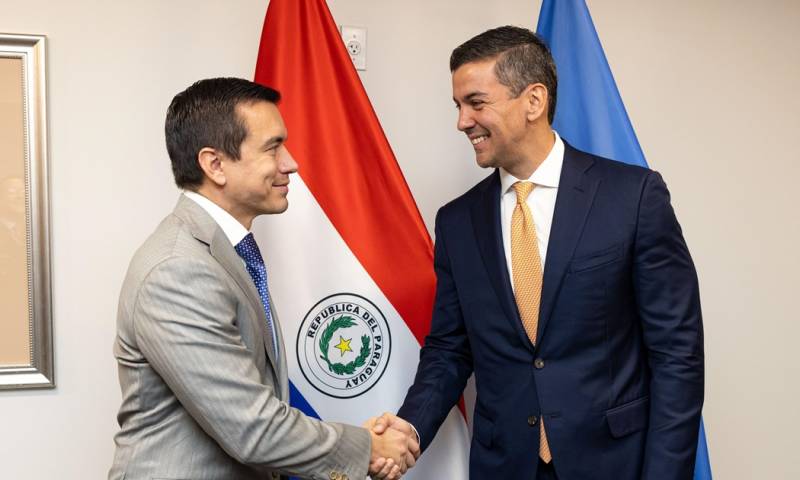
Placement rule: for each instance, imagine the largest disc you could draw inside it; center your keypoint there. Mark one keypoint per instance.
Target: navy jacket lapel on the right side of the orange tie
(576, 191)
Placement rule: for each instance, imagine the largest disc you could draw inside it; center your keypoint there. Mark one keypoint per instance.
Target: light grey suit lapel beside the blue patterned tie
(206, 230)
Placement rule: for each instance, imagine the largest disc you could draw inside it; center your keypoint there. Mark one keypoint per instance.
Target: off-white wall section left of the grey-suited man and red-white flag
(113, 69)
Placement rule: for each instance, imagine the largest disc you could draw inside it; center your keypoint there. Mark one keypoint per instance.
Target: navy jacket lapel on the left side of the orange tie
(486, 225)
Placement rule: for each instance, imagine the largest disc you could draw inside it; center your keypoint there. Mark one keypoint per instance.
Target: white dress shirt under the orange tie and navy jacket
(541, 201)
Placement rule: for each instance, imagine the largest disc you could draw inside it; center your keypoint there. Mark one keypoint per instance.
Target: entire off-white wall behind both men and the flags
(710, 87)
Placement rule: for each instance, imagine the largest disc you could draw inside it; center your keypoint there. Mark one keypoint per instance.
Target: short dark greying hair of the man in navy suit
(522, 59)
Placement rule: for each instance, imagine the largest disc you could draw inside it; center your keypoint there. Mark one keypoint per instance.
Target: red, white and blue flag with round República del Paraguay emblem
(350, 262)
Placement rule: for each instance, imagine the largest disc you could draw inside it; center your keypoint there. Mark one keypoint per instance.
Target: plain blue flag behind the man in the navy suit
(590, 112)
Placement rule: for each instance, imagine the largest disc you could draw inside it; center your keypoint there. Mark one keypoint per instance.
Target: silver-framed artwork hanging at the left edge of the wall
(26, 342)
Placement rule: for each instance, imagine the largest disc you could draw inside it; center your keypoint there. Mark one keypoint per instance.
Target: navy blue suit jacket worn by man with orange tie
(617, 372)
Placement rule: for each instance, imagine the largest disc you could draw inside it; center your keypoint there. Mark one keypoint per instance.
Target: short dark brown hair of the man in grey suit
(204, 115)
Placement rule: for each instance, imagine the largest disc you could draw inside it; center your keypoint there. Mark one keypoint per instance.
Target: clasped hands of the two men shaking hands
(395, 446)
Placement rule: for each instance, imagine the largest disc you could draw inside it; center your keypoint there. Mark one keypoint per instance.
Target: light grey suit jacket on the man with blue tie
(202, 397)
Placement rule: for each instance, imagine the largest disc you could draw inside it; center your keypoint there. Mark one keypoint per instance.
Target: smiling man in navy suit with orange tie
(565, 285)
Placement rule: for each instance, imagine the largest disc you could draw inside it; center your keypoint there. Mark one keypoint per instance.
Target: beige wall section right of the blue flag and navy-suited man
(711, 87)
